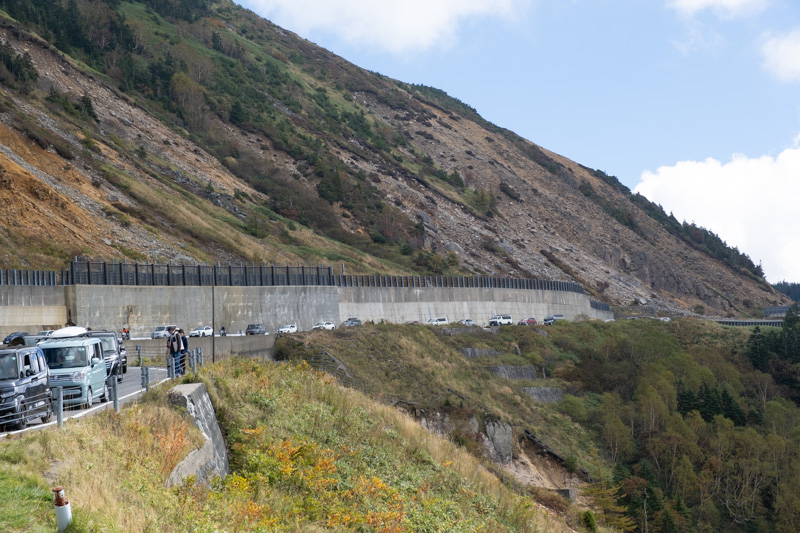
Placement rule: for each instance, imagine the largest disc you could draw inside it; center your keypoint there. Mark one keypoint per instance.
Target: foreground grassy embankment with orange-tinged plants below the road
(306, 455)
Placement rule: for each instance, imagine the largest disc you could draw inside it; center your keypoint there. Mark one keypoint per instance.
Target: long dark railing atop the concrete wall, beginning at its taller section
(87, 272)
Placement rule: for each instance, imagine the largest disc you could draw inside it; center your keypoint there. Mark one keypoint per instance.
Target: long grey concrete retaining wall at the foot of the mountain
(142, 308)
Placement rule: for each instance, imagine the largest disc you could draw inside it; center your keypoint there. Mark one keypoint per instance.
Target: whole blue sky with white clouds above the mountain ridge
(695, 104)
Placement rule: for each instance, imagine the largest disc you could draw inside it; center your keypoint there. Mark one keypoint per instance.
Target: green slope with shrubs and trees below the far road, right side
(685, 426)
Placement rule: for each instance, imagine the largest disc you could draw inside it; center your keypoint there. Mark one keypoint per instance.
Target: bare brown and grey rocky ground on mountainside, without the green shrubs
(539, 221)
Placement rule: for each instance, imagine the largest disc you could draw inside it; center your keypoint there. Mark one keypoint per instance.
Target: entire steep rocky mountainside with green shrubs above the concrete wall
(196, 131)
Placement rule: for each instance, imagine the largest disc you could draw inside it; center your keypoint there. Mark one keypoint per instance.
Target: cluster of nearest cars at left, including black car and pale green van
(80, 361)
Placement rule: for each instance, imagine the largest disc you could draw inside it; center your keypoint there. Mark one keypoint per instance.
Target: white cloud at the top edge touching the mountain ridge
(397, 27)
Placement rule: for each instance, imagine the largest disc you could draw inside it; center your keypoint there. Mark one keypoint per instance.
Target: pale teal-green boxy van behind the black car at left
(77, 365)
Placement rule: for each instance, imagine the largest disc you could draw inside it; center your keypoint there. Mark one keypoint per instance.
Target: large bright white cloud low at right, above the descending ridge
(751, 203)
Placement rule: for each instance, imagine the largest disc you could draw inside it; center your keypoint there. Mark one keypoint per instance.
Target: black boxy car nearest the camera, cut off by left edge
(24, 387)
